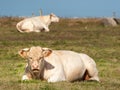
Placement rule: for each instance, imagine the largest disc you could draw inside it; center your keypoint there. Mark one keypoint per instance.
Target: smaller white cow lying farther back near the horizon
(36, 24)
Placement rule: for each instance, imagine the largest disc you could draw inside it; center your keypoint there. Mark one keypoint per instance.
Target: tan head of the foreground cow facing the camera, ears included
(35, 57)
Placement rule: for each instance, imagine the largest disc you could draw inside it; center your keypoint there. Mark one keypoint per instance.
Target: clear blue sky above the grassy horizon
(62, 8)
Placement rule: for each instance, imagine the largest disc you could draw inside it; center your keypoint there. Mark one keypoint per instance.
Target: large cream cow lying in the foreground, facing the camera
(58, 65)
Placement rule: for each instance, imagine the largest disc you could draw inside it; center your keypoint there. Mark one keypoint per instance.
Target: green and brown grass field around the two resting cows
(100, 42)
